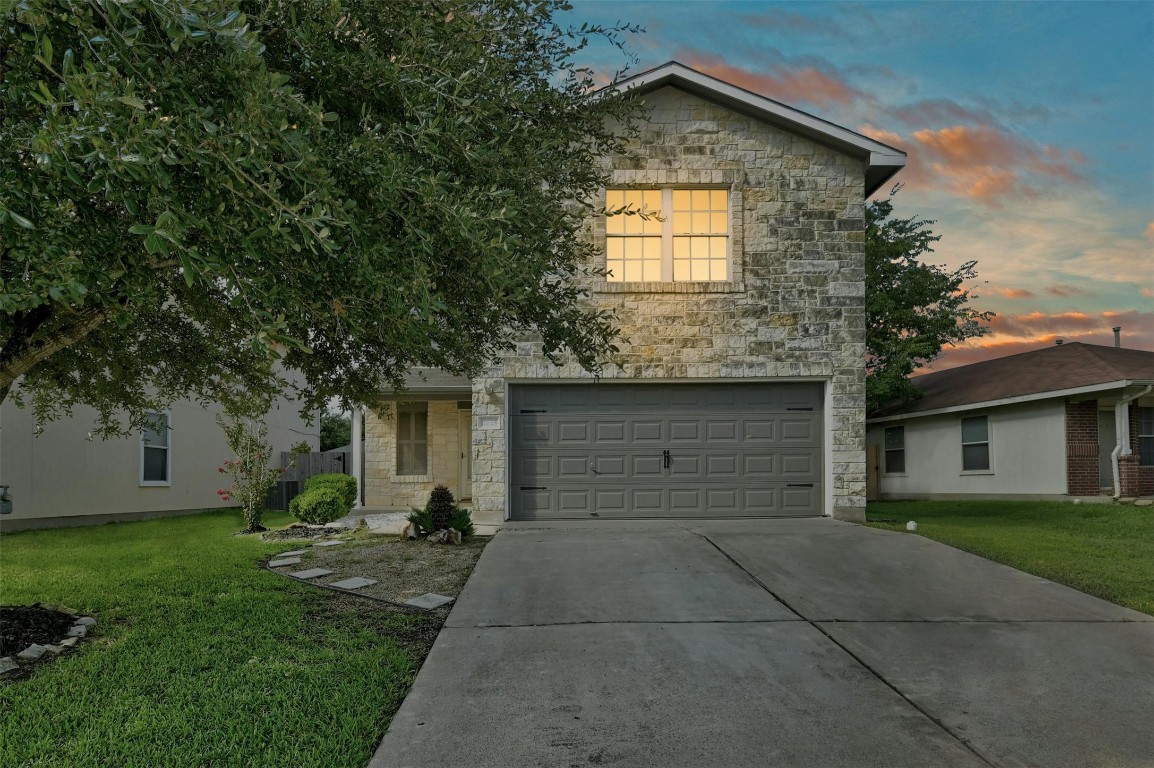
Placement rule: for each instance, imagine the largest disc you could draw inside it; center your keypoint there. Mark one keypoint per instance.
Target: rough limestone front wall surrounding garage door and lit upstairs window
(793, 308)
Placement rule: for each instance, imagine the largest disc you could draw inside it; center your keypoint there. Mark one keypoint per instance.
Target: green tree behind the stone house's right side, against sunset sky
(913, 308)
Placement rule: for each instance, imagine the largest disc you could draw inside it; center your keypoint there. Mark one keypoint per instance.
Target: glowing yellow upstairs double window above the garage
(684, 236)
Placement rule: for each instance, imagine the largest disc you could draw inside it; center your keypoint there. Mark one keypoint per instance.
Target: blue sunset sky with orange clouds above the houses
(1030, 129)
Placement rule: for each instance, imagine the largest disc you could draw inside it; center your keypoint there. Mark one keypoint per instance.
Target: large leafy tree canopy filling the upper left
(355, 187)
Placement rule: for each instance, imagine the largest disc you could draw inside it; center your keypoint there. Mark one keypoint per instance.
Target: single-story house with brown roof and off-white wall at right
(1067, 421)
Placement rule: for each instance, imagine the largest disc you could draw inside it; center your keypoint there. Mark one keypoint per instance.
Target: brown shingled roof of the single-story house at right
(1030, 375)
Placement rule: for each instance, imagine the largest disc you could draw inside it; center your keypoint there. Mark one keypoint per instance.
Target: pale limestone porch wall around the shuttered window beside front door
(384, 488)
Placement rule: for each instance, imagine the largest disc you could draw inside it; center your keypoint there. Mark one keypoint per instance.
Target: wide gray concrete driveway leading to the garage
(771, 643)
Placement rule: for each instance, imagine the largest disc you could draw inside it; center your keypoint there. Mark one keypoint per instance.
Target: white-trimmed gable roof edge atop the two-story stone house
(882, 161)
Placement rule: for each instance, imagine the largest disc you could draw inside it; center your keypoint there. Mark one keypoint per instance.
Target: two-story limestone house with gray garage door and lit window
(740, 386)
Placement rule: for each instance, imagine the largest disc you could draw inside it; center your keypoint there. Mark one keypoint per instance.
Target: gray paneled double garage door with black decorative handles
(665, 450)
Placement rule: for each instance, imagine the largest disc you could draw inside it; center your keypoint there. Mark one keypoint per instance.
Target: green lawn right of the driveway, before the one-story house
(1106, 551)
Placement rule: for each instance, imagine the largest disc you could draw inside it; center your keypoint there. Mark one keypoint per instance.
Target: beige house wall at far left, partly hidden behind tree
(66, 477)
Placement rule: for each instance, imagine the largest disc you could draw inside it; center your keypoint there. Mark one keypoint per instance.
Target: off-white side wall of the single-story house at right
(1028, 454)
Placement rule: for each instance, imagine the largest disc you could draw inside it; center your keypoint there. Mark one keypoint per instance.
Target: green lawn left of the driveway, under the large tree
(200, 657)
